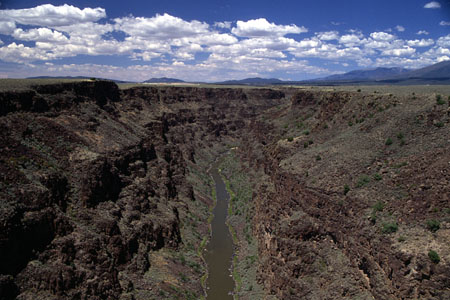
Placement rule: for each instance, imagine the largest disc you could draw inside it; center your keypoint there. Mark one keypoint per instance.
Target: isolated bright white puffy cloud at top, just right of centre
(261, 27)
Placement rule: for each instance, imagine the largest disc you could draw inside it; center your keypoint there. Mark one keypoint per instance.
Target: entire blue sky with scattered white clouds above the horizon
(219, 40)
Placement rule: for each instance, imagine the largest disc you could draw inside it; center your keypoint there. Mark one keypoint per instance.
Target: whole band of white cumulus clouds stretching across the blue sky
(251, 48)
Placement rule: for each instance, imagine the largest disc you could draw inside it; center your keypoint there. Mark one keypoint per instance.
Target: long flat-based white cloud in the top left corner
(50, 15)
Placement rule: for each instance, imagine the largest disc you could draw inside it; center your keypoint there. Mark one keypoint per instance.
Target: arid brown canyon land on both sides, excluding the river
(336, 192)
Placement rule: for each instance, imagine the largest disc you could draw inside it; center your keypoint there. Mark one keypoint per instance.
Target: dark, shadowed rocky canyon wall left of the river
(94, 188)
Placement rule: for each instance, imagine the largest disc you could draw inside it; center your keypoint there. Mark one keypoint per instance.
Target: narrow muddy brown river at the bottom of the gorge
(220, 248)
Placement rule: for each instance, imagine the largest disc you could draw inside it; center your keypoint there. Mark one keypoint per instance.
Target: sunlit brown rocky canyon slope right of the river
(356, 183)
